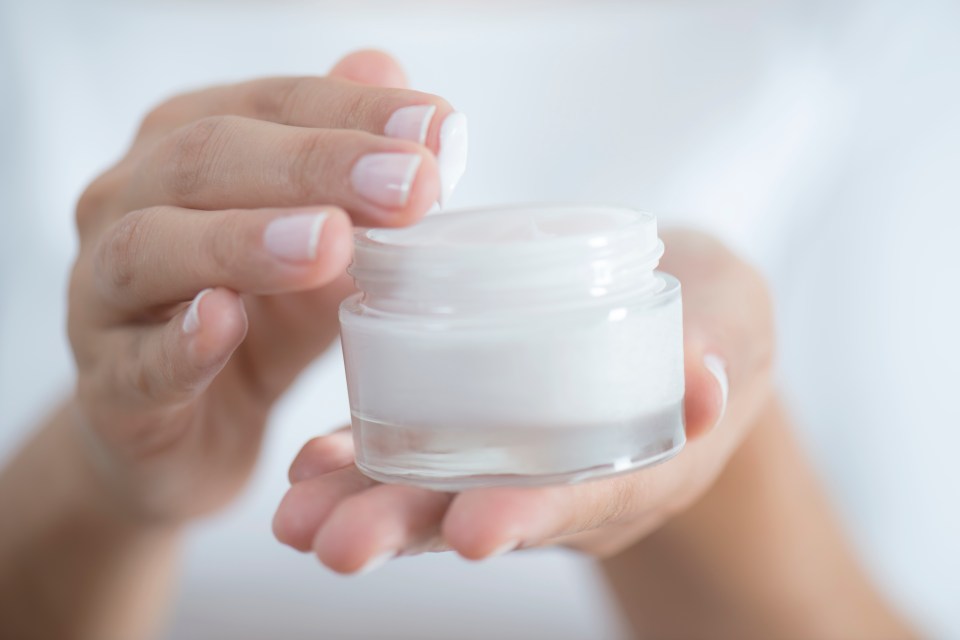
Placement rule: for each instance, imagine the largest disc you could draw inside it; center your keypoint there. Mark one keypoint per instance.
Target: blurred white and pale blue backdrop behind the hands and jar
(818, 138)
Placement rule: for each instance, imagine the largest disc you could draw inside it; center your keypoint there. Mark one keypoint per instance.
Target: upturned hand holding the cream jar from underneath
(353, 523)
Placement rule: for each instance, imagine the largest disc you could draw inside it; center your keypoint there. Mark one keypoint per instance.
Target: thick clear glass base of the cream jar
(454, 459)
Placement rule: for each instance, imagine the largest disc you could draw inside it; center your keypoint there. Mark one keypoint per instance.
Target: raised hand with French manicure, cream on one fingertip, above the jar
(212, 261)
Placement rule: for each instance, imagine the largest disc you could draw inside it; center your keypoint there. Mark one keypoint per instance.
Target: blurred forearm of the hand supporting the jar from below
(759, 556)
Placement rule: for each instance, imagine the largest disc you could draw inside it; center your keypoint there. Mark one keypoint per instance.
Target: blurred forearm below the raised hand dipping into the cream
(72, 564)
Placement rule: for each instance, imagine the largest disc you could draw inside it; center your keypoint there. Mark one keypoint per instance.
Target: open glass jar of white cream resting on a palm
(514, 346)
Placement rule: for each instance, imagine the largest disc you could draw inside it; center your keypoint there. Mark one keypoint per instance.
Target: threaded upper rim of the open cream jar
(507, 257)
